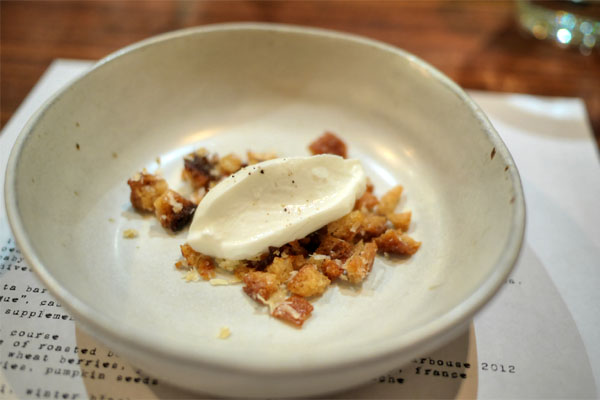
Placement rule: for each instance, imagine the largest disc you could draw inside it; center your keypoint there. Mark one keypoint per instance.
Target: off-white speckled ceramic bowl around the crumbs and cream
(262, 87)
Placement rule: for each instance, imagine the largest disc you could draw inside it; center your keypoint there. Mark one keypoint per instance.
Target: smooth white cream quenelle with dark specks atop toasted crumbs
(274, 202)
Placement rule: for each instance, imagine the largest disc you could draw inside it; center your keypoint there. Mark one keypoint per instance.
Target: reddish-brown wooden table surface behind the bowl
(476, 43)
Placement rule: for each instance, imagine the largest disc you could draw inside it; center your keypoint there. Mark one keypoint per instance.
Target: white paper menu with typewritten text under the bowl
(539, 338)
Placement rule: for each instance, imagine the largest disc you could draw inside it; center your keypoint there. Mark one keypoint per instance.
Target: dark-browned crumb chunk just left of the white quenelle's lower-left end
(173, 210)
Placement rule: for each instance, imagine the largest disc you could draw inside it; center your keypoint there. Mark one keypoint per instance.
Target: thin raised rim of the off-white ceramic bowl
(102, 326)
